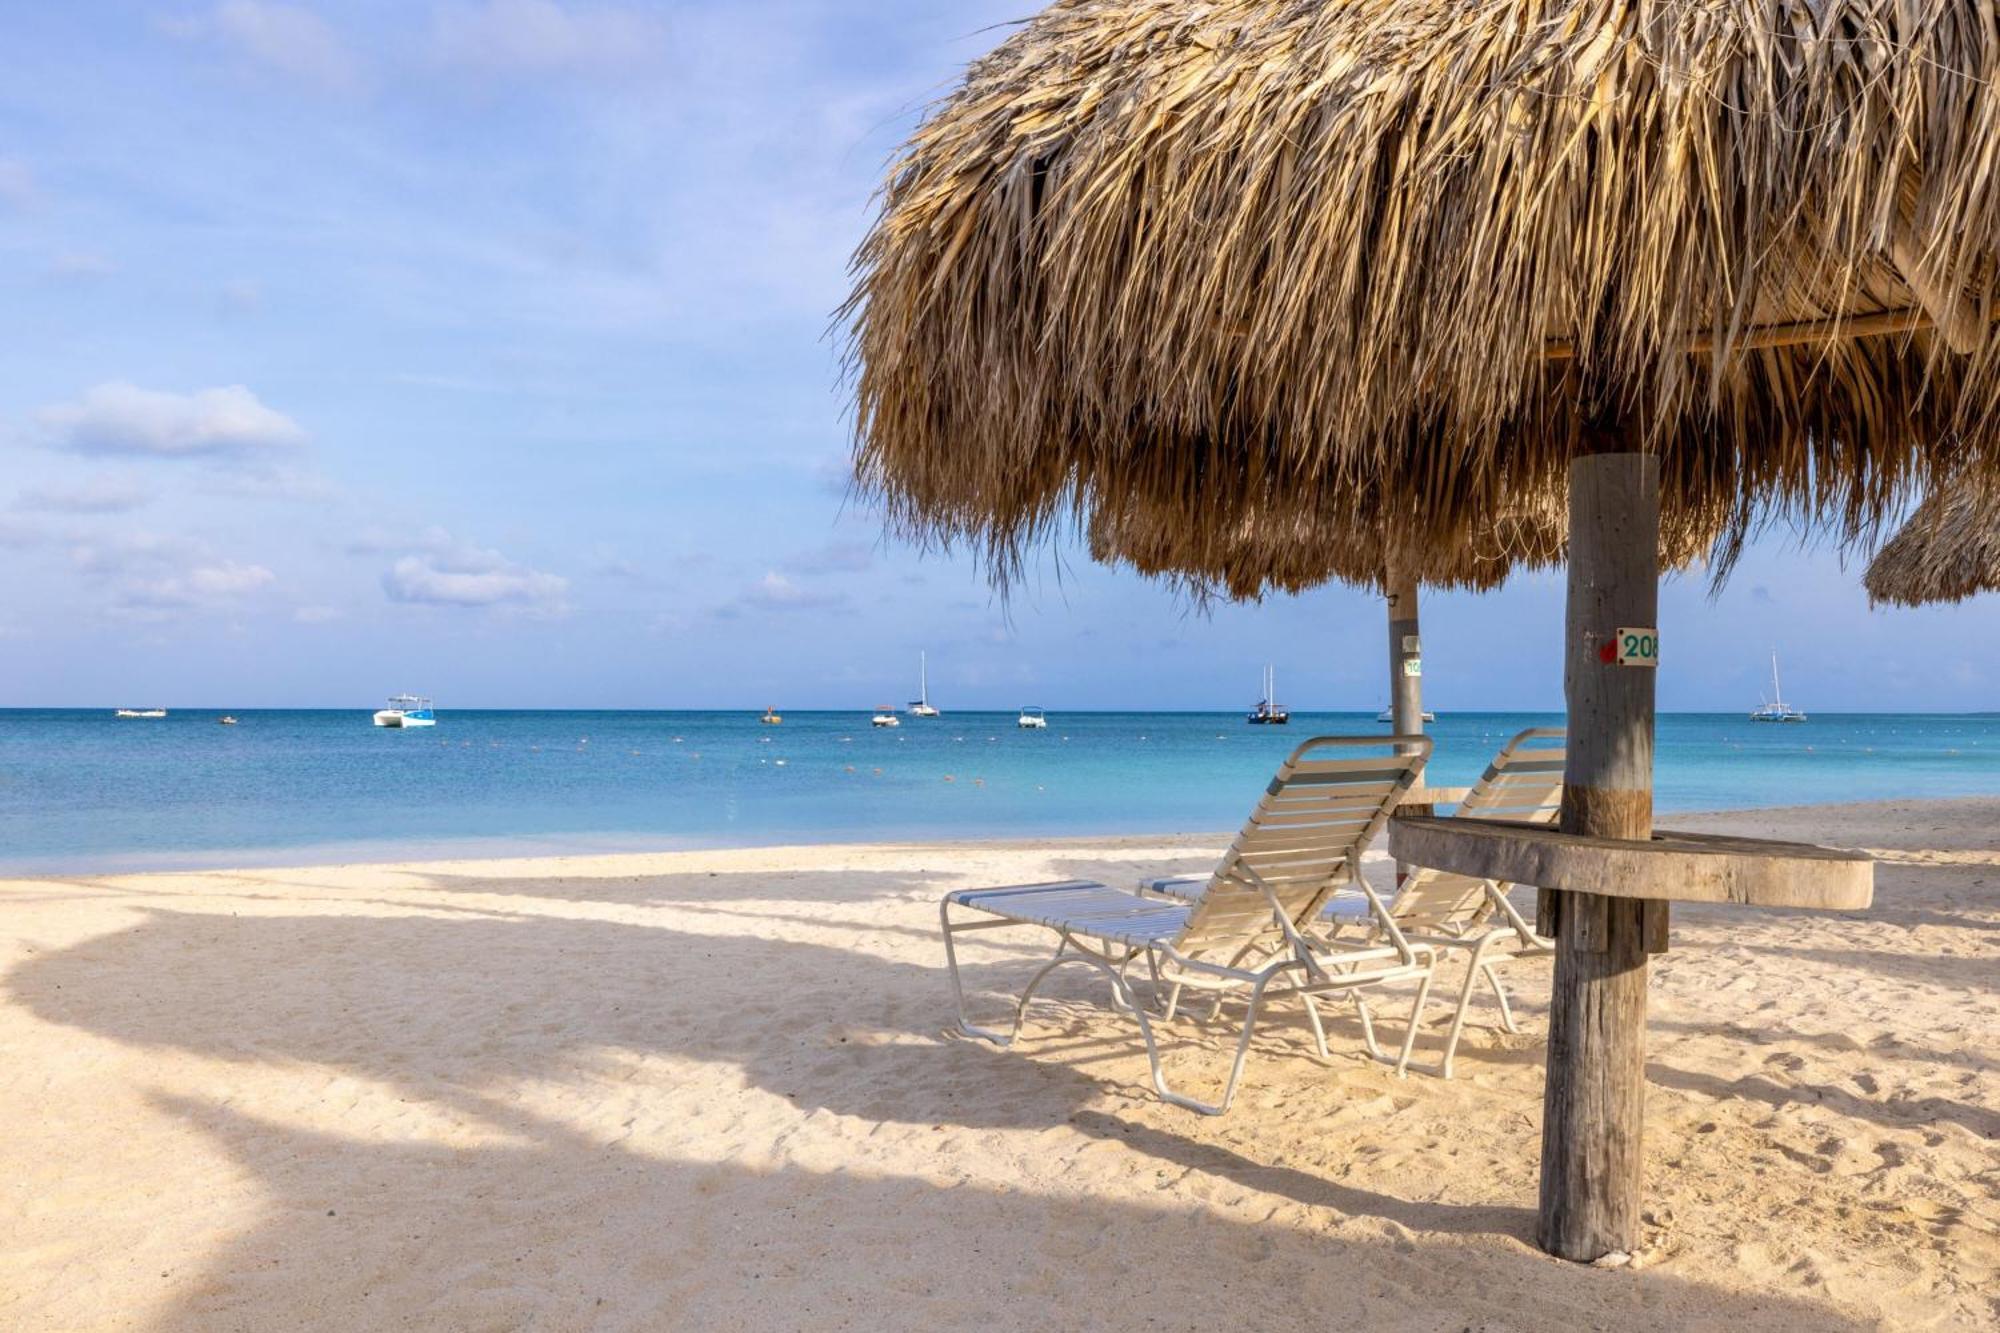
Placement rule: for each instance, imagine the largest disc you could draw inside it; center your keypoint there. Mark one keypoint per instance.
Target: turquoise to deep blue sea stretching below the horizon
(85, 792)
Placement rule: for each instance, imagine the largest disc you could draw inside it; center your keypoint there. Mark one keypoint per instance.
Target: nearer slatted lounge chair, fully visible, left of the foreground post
(1303, 844)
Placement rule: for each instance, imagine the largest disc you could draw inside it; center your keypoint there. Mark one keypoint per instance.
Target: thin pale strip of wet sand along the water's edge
(603, 846)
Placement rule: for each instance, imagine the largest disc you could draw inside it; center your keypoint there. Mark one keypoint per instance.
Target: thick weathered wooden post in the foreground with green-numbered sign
(1595, 1100)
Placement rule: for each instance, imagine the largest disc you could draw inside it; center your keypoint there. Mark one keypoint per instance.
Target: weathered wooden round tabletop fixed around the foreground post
(1677, 868)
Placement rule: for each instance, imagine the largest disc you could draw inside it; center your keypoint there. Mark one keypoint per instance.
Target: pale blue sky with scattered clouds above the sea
(481, 349)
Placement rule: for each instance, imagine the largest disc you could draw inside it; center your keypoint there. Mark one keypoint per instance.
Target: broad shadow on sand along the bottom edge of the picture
(557, 1230)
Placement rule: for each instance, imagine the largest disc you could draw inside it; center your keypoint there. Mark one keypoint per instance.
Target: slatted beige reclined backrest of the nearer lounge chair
(1305, 838)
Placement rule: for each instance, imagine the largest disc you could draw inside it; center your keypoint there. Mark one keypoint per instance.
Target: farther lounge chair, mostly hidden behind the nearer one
(1457, 912)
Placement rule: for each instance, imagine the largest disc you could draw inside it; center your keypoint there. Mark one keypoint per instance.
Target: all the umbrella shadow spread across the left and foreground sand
(559, 1228)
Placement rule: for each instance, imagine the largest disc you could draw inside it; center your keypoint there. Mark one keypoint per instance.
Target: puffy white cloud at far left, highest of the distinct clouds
(125, 419)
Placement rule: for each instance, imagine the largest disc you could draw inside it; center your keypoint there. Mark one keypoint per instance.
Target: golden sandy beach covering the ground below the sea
(719, 1090)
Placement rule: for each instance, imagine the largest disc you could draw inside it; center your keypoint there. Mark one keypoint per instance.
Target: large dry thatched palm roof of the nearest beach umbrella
(1397, 261)
